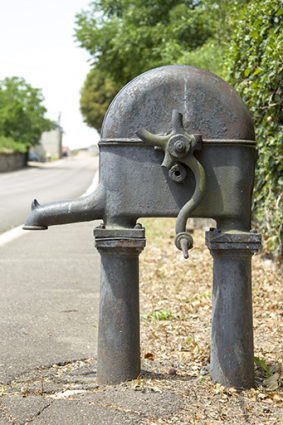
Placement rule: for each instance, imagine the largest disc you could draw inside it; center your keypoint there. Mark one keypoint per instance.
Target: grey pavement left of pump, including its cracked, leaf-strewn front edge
(49, 284)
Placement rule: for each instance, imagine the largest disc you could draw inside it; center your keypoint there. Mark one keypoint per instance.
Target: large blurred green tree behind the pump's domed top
(127, 38)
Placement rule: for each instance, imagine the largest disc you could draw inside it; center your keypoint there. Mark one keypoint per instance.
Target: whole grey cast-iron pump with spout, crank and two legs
(177, 141)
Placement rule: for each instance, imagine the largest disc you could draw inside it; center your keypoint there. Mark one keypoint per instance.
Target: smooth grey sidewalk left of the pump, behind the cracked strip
(49, 283)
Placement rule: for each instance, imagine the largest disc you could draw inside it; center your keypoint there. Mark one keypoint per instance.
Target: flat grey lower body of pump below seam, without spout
(137, 186)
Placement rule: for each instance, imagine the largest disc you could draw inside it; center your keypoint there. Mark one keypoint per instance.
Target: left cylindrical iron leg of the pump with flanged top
(119, 318)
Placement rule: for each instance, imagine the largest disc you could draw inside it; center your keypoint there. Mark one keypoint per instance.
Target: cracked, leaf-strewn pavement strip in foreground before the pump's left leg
(68, 394)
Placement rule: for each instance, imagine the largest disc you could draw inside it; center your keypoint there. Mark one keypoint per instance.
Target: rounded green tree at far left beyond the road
(21, 114)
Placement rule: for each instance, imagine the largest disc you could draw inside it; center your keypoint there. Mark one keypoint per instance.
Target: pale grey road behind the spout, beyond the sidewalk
(50, 182)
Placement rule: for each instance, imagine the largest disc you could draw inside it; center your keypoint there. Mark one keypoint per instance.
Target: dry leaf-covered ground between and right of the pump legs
(176, 308)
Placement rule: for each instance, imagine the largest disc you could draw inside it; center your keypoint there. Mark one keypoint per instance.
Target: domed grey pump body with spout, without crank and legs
(133, 185)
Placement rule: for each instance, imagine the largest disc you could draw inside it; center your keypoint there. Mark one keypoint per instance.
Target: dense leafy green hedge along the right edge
(254, 66)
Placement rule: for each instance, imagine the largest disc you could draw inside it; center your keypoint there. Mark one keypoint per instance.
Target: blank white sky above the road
(37, 43)
